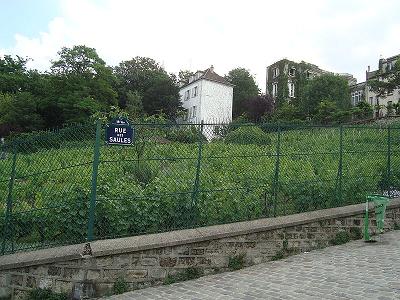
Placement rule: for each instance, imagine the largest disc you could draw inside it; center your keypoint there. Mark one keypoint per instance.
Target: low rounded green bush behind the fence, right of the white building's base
(248, 135)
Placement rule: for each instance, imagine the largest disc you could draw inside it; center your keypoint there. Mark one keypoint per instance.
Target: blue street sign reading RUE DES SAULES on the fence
(119, 132)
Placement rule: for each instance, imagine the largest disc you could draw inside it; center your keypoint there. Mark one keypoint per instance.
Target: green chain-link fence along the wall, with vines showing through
(68, 186)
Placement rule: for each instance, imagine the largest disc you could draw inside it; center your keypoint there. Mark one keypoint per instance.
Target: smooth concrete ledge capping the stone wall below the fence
(179, 237)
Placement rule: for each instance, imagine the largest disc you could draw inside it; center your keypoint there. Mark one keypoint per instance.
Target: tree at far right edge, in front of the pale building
(386, 80)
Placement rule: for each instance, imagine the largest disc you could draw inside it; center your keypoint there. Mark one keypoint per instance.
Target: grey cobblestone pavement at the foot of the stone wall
(356, 270)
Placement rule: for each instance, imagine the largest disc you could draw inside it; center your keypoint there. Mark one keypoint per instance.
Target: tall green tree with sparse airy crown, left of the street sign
(81, 84)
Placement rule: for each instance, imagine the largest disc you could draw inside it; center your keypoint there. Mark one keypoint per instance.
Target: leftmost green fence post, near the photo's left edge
(9, 228)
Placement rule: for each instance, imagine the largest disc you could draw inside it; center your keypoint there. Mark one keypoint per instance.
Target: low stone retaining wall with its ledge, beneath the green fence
(147, 260)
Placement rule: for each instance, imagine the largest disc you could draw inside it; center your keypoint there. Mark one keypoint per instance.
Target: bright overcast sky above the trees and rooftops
(337, 35)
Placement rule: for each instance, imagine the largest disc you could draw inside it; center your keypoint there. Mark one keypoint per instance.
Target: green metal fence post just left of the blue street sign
(96, 160)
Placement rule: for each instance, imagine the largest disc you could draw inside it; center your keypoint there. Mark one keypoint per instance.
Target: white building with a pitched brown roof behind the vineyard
(207, 97)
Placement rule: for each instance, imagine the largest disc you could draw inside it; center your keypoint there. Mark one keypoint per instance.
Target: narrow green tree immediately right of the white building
(244, 88)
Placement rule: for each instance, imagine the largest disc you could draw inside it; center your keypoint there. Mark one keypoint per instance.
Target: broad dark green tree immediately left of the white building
(159, 91)
